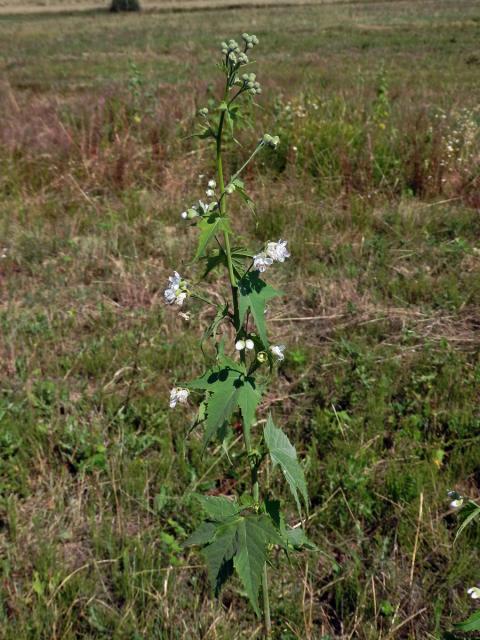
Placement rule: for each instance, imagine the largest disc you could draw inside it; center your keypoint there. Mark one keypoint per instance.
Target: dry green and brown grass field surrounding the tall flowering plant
(377, 187)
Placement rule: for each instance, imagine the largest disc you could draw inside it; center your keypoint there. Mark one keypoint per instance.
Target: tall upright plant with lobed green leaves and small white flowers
(239, 532)
